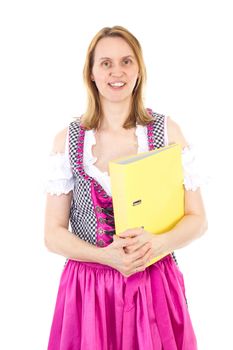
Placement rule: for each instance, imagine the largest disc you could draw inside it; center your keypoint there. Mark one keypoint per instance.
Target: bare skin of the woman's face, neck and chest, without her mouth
(114, 61)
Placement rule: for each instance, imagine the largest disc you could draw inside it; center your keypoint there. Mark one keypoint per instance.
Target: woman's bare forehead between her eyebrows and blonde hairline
(112, 47)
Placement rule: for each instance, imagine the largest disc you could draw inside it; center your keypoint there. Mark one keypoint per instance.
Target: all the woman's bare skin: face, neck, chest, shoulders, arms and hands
(130, 251)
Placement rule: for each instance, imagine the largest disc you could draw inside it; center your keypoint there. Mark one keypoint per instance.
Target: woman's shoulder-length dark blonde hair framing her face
(92, 117)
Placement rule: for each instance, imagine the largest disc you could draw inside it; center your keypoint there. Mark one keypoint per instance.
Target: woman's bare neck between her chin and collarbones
(114, 115)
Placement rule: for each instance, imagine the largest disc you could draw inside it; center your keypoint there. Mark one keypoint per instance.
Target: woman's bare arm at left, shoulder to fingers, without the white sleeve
(60, 240)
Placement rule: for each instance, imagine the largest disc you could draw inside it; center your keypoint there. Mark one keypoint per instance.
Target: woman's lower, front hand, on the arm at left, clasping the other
(127, 263)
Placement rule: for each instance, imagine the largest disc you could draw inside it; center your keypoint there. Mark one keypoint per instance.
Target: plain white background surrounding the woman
(187, 49)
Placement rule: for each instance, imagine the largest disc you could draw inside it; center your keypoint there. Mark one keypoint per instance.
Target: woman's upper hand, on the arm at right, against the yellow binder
(156, 241)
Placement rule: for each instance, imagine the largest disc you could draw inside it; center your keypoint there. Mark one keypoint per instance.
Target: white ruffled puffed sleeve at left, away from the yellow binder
(59, 178)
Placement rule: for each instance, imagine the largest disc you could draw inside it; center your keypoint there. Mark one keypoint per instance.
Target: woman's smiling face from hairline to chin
(115, 69)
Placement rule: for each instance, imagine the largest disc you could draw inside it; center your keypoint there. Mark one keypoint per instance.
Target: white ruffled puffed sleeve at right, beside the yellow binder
(193, 175)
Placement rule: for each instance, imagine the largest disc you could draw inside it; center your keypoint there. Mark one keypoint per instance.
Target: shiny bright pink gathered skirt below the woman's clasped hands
(97, 308)
